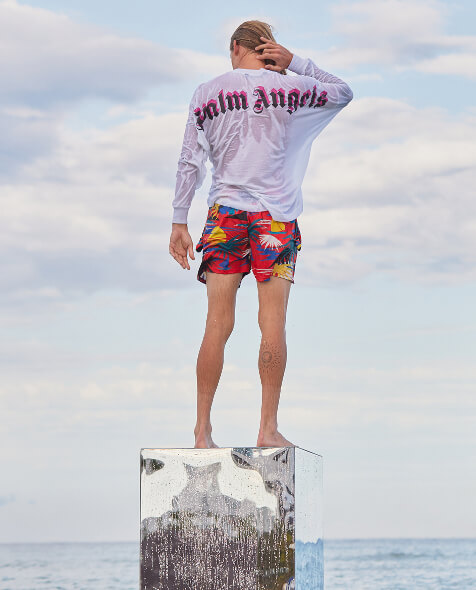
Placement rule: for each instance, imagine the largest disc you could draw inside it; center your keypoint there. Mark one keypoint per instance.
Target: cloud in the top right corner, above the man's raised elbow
(402, 34)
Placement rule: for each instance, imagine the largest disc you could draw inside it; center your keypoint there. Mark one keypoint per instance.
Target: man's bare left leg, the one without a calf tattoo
(221, 292)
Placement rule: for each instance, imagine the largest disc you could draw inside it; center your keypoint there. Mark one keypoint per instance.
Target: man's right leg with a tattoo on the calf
(273, 300)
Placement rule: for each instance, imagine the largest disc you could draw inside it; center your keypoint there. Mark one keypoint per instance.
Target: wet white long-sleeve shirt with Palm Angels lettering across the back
(257, 128)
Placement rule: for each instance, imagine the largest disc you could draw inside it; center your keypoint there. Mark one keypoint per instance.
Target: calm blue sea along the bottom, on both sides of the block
(380, 564)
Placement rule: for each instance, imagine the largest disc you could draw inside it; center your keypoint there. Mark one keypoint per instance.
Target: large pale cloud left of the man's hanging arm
(93, 214)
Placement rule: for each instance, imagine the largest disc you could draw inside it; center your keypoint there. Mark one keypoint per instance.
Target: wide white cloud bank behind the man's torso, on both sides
(392, 196)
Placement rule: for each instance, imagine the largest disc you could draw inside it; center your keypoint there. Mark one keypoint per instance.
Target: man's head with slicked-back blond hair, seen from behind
(243, 42)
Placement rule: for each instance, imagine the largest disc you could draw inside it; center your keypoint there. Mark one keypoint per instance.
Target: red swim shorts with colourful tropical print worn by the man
(234, 240)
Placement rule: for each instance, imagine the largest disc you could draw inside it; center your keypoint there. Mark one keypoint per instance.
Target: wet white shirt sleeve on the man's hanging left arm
(191, 170)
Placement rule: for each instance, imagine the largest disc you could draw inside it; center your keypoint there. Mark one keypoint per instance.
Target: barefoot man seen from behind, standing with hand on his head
(257, 125)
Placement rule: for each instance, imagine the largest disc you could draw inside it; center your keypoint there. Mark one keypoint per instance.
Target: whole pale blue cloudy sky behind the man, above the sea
(100, 327)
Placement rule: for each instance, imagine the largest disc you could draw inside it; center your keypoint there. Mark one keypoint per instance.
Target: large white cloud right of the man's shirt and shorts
(393, 195)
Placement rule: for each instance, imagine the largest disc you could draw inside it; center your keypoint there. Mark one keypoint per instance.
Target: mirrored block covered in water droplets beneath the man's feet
(230, 519)
